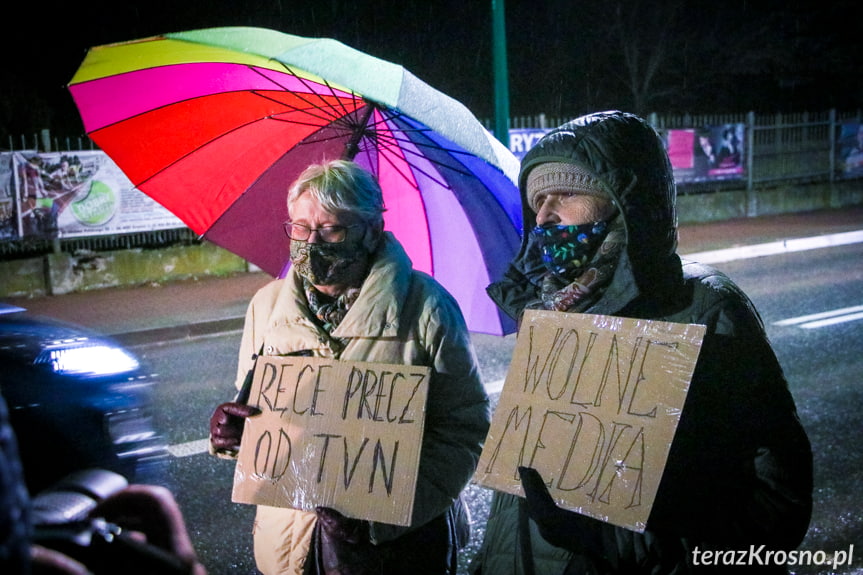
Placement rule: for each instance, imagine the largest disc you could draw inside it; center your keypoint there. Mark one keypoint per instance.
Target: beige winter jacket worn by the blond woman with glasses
(401, 316)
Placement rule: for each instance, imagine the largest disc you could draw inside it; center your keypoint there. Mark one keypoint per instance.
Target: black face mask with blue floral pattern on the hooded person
(566, 250)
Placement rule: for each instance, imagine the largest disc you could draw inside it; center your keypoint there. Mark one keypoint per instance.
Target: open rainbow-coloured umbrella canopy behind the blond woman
(215, 124)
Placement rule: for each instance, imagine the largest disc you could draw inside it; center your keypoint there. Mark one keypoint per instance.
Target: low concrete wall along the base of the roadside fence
(64, 273)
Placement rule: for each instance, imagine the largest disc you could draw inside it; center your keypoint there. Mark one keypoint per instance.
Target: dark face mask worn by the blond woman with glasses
(344, 263)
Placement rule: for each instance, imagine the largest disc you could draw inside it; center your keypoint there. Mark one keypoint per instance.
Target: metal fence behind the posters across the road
(780, 148)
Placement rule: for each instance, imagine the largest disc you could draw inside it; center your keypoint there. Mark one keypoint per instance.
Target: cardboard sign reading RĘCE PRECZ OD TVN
(341, 434)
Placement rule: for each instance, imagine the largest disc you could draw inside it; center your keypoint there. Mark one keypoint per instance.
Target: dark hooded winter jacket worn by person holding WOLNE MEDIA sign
(740, 468)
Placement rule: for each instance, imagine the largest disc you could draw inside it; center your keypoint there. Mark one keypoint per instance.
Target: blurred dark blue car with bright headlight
(77, 400)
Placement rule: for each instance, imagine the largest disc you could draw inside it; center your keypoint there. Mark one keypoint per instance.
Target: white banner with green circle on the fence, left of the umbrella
(76, 194)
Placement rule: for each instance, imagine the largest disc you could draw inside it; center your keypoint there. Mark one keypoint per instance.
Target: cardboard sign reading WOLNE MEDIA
(592, 403)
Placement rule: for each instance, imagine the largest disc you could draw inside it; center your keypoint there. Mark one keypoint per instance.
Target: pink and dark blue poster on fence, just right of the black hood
(706, 154)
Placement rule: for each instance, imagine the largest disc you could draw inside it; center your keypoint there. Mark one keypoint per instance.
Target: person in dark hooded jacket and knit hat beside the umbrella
(739, 471)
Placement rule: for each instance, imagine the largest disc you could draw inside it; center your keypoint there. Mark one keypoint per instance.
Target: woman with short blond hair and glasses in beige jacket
(352, 294)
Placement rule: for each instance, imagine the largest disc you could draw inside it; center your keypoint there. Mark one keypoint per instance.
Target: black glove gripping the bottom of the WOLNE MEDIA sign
(566, 529)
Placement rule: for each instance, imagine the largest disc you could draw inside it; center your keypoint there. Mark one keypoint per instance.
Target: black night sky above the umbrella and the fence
(727, 57)
